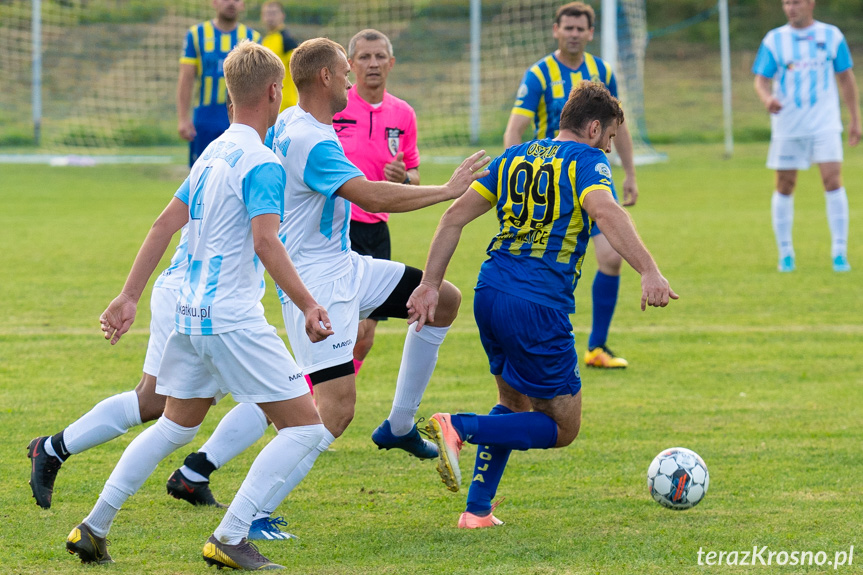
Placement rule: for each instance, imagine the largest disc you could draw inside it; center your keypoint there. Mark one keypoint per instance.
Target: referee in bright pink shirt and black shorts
(379, 135)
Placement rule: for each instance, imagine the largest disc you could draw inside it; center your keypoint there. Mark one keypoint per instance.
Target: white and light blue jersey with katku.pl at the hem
(236, 179)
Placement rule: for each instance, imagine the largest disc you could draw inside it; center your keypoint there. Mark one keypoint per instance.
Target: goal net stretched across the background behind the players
(109, 67)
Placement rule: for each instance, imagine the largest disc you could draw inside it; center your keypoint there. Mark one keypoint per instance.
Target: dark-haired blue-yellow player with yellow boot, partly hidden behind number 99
(540, 99)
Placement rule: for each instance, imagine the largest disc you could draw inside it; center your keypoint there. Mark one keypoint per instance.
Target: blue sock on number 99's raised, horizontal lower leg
(526, 430)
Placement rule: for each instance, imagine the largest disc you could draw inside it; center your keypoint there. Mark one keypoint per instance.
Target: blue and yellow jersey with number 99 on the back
(537, 189)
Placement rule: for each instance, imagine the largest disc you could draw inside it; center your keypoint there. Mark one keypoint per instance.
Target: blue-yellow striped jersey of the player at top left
(206, 48)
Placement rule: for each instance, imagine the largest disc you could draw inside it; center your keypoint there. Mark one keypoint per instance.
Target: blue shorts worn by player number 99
(530, 345)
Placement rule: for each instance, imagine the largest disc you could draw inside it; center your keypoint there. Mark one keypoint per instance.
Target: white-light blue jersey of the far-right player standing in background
(803, 63)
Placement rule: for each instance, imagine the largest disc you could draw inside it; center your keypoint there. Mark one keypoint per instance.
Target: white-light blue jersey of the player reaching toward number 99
(315, 228)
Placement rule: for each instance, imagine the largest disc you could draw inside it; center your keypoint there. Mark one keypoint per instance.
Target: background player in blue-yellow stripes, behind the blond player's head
(204, 51)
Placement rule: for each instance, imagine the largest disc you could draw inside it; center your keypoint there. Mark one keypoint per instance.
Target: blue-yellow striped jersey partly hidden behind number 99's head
(546, 87)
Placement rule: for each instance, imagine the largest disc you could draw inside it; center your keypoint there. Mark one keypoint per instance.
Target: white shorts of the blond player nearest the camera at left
(252, 364)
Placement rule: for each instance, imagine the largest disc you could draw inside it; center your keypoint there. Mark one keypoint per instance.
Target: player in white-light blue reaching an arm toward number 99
(321, 185)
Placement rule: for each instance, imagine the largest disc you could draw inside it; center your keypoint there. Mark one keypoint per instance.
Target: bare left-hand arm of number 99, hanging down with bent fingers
(424, 299)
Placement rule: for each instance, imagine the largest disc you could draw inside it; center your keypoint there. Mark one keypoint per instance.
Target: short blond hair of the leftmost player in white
(249, 69)
